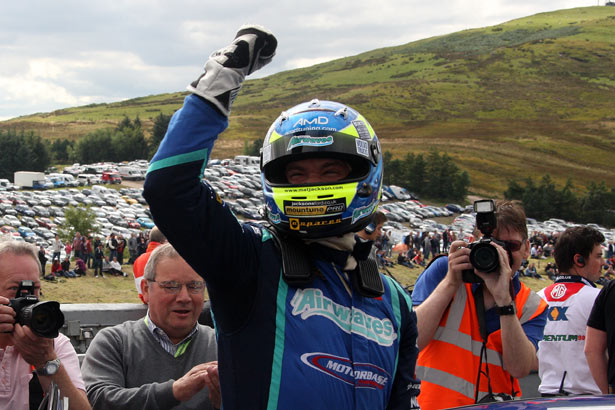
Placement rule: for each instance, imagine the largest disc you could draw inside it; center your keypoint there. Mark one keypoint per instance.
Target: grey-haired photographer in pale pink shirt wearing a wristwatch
(21, 350)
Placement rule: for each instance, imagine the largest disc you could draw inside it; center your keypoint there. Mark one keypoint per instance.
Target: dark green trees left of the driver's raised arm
(26, 151)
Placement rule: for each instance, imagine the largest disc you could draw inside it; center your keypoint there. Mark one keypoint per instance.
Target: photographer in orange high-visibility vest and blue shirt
(499, 310)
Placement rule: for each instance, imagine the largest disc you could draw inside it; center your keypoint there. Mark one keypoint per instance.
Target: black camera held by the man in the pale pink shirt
(44, 318)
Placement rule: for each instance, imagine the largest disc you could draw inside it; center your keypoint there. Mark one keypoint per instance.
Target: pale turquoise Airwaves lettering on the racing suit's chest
(311, 302)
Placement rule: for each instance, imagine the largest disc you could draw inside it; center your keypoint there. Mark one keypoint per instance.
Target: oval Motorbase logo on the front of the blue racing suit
(361, 375)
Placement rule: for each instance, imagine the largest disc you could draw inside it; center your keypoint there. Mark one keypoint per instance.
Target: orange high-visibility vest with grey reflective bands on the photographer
(448, 365)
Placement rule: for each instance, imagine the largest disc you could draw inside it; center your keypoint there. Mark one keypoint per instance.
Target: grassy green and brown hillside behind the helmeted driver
(523, 98)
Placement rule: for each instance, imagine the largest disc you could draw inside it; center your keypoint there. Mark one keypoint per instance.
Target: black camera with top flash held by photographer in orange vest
(483, 255)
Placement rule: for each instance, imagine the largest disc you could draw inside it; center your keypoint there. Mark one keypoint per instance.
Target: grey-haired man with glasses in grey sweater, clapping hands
(165, 360)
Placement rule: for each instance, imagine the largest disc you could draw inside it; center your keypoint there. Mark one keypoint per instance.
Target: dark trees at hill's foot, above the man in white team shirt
(543, 200)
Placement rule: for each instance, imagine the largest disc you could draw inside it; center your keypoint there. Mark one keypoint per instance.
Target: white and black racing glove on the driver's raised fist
(254, 47)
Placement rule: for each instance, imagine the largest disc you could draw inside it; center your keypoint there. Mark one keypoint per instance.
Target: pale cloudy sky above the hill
(64, 53)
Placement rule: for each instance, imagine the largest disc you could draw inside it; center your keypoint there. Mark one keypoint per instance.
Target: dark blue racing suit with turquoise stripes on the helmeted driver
(322, 346)
